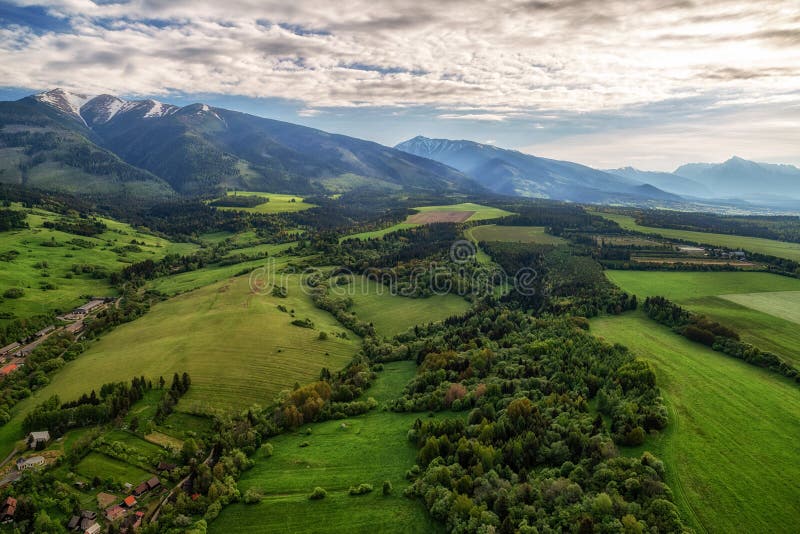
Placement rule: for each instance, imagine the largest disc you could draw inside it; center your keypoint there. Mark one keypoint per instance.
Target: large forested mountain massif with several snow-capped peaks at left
(195, 149)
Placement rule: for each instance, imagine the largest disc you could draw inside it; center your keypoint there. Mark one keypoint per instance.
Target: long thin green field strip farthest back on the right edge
(770, 247)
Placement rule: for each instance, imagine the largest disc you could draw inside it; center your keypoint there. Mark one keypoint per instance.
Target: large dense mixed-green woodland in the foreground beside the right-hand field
(534, 453)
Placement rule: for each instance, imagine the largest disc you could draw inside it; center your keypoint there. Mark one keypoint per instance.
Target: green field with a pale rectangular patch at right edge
(727, 297)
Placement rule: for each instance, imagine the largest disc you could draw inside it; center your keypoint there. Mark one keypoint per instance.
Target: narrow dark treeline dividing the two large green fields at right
(721, 338)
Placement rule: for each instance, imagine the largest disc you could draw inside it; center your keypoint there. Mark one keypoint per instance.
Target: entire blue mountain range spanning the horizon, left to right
(107, 145)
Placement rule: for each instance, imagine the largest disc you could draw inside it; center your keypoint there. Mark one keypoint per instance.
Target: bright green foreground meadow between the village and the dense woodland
(366, 449)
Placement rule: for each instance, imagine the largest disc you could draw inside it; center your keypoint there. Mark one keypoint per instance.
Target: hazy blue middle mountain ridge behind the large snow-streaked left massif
(515, 173)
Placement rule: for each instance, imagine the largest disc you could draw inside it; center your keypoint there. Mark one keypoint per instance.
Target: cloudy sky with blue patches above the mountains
(646, 83)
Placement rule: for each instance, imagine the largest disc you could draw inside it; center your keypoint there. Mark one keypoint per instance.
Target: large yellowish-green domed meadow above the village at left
(237, 346)
